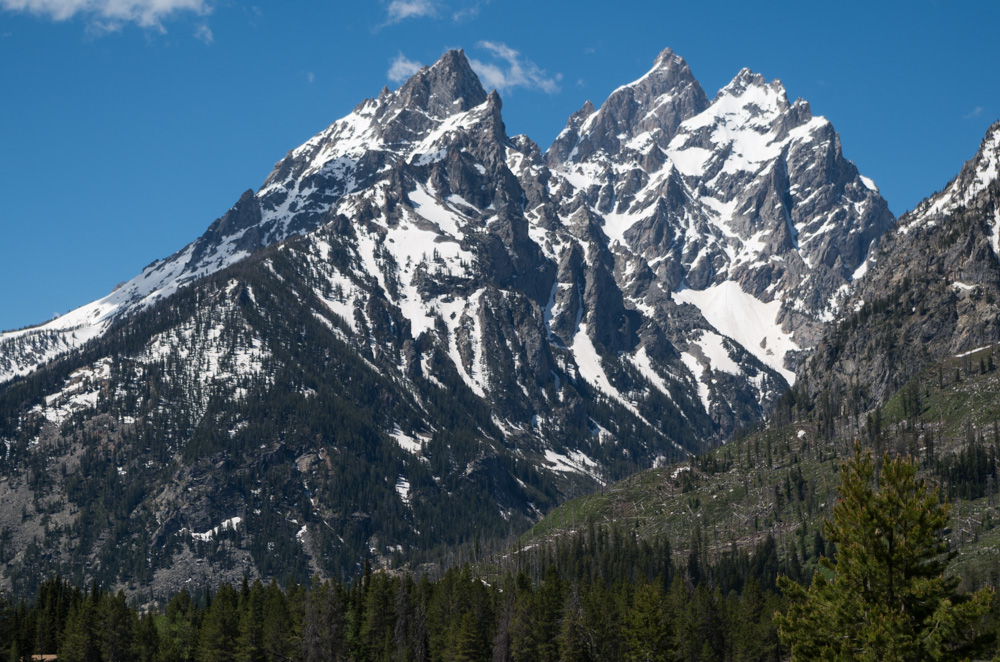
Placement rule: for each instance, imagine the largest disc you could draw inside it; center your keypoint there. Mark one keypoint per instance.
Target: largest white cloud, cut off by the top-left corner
(109, 14)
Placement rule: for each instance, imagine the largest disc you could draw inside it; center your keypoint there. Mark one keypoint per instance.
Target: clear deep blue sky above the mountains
(127, 126)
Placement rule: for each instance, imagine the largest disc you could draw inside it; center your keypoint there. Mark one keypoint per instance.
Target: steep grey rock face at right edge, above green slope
(932, 288)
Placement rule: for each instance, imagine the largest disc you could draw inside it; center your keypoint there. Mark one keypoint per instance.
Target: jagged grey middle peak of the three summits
(655, 104)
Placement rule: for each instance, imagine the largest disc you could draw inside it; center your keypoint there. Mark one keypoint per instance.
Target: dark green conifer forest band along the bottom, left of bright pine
(602, 595)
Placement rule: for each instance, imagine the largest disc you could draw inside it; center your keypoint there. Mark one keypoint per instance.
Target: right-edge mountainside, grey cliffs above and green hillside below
(908, 367)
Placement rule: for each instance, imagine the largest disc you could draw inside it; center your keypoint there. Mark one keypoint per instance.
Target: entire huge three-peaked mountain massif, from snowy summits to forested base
(420, 331)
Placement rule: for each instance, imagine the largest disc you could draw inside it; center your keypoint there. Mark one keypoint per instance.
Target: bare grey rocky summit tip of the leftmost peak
(448, 86)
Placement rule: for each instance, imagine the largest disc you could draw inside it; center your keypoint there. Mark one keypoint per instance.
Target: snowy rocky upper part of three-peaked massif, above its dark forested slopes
(640, 219)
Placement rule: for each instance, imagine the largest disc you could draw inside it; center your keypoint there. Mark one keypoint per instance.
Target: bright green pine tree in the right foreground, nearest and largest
(888, 598)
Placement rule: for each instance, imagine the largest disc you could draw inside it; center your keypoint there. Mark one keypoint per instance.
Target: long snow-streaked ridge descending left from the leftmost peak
(294, 199)
